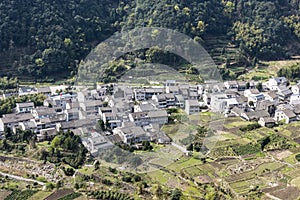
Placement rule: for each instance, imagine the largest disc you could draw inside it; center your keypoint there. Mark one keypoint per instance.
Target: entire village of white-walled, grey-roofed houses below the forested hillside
(135, 114)
